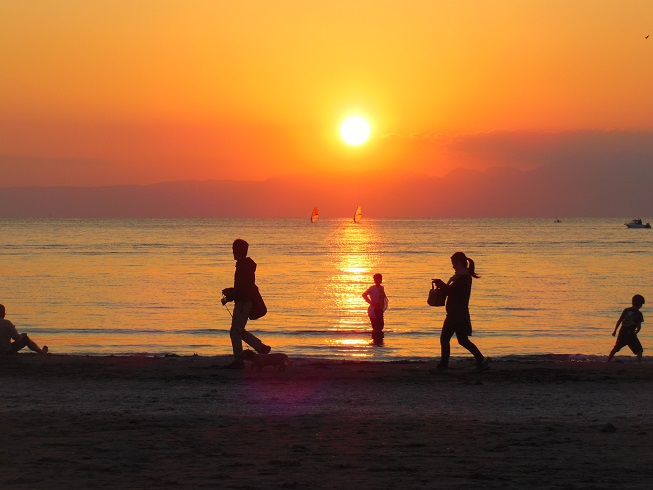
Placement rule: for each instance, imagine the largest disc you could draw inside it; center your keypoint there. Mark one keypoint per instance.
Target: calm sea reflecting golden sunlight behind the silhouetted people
(153, 286)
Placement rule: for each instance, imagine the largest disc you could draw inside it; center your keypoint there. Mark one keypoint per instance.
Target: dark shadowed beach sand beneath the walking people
(137, 422)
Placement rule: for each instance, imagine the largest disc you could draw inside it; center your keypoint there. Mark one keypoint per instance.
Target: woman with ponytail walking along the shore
(458, 290)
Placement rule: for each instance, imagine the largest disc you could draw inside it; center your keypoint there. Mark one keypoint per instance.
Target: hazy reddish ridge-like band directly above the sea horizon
(601, 189)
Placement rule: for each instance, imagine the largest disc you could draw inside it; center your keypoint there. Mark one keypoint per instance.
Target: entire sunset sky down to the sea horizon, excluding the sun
(477, 108)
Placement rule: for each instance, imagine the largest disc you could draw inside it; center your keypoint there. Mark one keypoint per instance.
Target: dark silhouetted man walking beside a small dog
(244, 294)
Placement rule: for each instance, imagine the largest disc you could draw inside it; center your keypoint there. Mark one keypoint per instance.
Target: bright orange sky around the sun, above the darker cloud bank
(110, 92)
